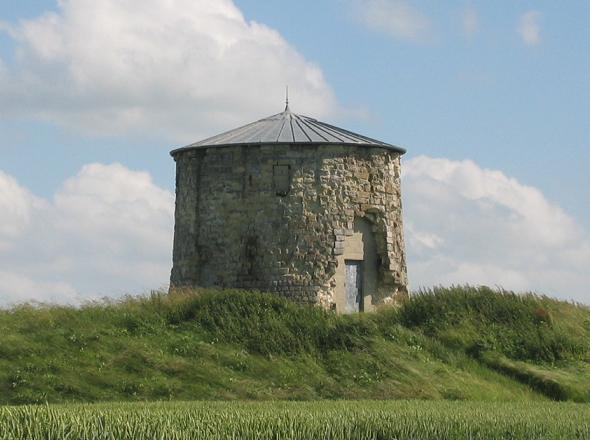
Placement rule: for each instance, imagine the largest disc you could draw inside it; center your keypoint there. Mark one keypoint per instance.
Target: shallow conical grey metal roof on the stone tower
(288, 128)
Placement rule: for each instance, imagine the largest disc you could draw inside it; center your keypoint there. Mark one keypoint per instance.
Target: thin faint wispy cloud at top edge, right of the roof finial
(395, 18)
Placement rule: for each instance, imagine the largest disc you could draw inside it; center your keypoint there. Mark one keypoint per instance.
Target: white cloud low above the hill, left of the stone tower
(107, 231)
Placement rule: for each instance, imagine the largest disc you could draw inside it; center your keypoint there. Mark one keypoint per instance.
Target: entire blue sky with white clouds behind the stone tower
(490, 99)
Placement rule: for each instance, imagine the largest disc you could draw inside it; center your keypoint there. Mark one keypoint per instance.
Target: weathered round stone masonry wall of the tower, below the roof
(233, 230)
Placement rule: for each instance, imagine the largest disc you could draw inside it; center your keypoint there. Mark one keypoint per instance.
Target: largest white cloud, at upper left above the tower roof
(181, 69)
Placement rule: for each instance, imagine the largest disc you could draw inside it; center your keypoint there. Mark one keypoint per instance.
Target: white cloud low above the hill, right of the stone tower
(465, 224)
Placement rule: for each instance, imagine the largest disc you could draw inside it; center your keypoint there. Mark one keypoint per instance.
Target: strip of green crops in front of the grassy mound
(298, 420)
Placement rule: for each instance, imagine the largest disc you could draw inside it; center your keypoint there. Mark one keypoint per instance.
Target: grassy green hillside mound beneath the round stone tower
(459, 343)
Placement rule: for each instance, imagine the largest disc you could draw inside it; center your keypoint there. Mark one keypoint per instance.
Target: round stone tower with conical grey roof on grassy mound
(295, 206)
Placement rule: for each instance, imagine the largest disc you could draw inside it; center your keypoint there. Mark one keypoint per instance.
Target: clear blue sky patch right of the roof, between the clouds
(489, 97)
